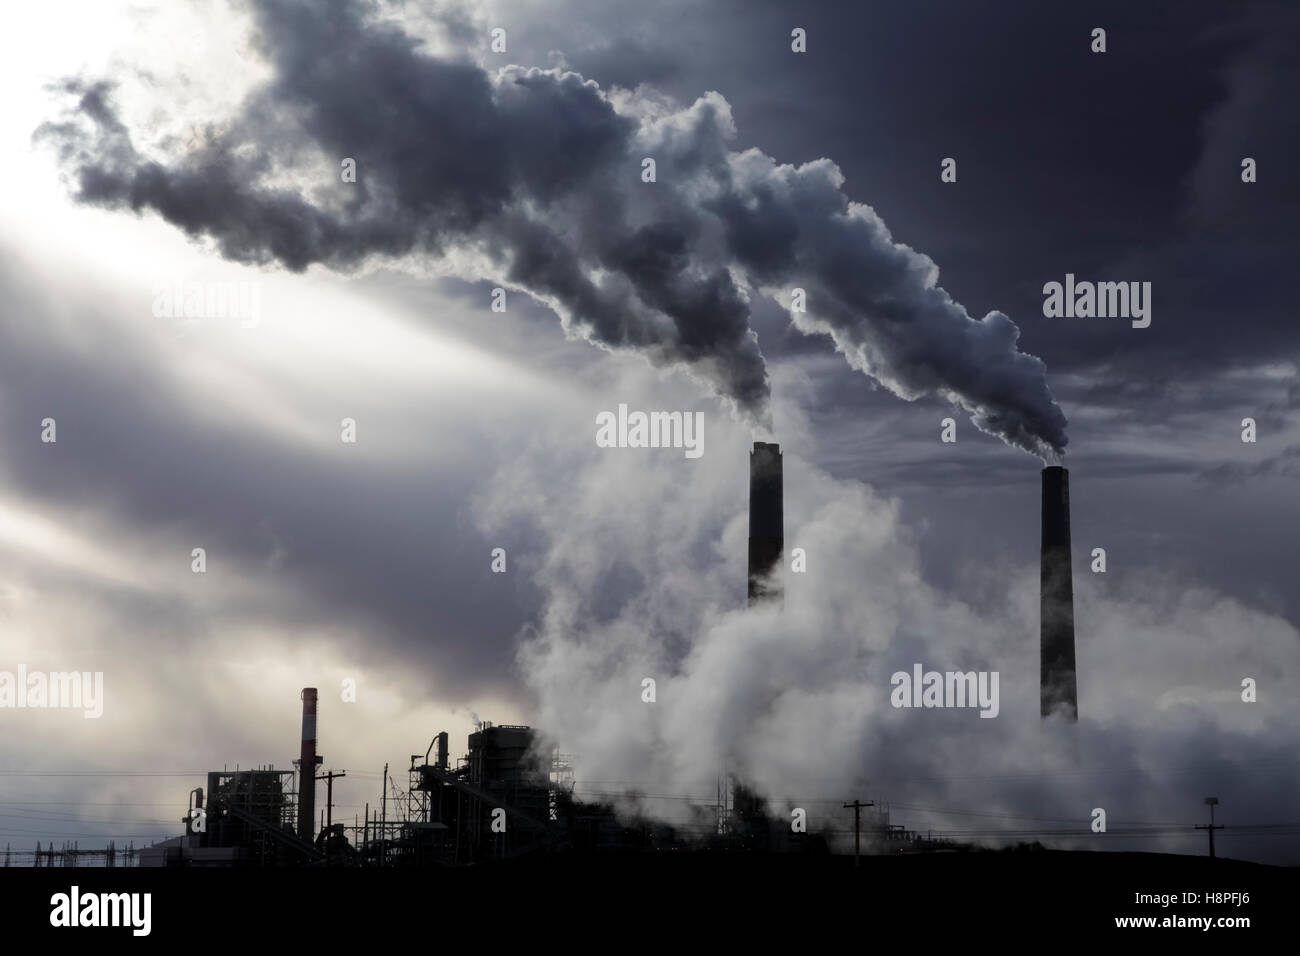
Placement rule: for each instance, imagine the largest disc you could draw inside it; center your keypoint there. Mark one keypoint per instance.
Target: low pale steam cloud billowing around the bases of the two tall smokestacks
(796, 703)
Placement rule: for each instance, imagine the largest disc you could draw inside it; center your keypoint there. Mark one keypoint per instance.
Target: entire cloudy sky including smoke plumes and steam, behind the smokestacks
(153, 146)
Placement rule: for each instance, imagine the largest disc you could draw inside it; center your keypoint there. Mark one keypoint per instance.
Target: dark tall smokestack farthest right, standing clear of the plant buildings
(1059, 690)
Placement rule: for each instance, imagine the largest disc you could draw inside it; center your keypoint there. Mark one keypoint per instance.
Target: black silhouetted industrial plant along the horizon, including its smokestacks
(512, 797)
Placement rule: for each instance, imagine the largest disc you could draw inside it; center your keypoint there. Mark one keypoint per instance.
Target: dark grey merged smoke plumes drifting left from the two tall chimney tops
(534, 178)
